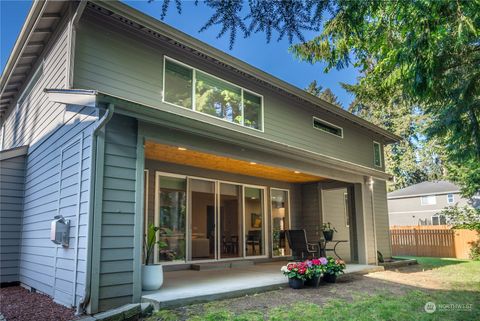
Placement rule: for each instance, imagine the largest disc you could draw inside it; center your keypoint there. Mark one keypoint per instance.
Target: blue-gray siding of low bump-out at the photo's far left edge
(12, 175)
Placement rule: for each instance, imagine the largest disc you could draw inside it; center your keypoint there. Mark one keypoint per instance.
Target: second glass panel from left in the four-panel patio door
(203, 219)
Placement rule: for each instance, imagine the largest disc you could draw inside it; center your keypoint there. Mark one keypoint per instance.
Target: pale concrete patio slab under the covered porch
(189, 286)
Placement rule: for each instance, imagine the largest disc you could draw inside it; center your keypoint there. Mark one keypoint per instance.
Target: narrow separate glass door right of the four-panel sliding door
(280, 221)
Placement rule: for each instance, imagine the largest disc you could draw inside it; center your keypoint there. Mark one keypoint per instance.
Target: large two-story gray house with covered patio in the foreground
(114, 120)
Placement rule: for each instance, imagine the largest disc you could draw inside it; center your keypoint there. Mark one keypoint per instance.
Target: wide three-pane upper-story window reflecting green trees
(191, 88)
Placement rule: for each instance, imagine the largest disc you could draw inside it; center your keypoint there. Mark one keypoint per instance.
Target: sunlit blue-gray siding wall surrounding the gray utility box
(57, 183)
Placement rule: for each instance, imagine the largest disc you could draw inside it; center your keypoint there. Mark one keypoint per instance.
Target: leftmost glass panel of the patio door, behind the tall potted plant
(171, 218)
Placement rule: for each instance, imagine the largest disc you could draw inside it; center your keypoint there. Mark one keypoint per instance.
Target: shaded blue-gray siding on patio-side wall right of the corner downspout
(118, 214)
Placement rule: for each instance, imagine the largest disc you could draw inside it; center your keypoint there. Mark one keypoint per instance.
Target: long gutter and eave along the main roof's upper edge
(162, 28)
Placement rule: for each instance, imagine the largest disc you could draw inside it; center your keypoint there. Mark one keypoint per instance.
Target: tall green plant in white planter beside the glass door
(152, 274)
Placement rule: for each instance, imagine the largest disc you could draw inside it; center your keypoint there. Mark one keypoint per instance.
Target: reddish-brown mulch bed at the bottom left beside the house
(18, 304)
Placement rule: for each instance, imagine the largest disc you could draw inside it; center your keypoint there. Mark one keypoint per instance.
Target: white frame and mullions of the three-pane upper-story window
(194, 107)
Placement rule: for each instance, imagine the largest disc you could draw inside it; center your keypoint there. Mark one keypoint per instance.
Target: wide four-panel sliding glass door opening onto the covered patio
(204, 220)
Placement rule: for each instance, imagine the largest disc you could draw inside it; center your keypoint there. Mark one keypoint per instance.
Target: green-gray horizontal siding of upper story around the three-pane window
(129, 65)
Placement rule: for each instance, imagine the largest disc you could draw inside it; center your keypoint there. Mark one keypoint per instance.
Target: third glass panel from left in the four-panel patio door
(230, 222)
